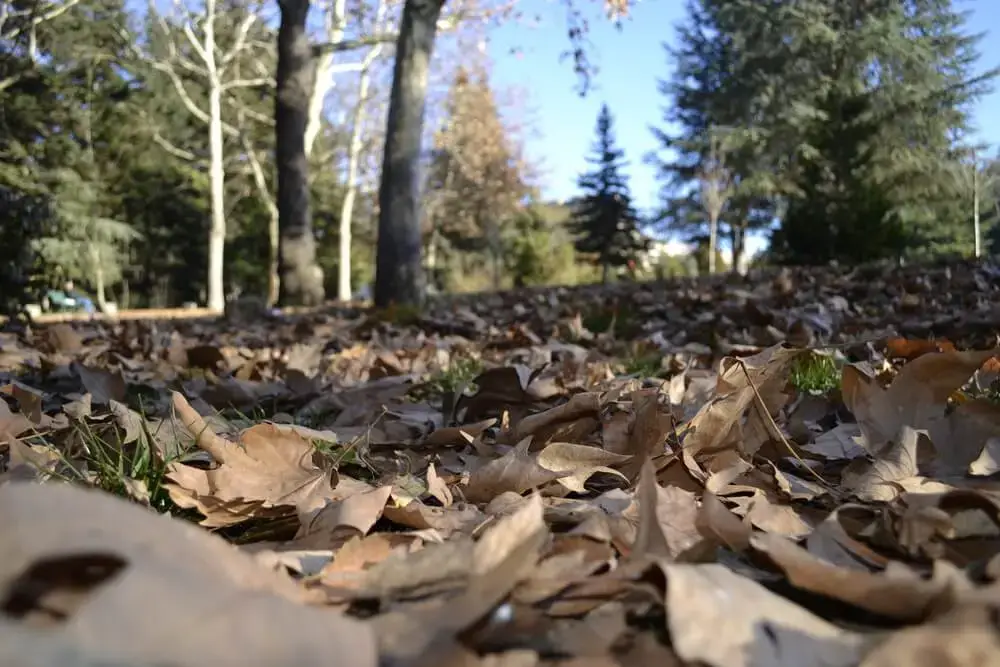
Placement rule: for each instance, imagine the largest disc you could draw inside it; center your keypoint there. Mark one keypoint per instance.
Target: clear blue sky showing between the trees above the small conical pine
(630, 63)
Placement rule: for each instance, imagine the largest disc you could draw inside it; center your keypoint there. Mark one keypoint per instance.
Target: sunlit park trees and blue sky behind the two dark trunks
(142, 165)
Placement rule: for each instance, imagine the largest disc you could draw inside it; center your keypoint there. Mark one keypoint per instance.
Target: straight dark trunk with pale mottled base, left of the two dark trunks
(301, 277)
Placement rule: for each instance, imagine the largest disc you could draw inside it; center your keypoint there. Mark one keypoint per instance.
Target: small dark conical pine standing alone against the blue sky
(604, 219)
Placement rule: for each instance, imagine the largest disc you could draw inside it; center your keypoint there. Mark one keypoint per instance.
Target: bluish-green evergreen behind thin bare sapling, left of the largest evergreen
(712, 172)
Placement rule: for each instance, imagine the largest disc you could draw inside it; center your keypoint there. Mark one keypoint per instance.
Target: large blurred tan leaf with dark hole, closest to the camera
(78, 570)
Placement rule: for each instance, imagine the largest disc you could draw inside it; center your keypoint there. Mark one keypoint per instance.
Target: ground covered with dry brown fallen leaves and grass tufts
(793, 469)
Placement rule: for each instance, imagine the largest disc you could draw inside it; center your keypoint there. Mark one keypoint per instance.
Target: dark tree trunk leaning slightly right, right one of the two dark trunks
(398, 267)
